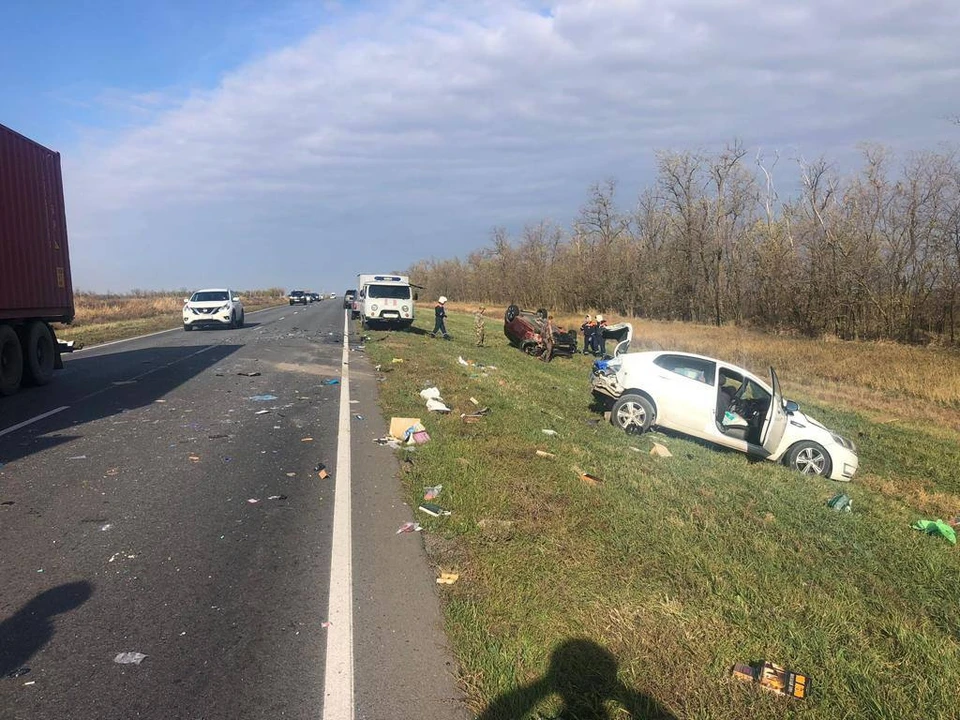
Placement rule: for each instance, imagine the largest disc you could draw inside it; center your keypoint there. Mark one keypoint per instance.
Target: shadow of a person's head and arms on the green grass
(584, 675)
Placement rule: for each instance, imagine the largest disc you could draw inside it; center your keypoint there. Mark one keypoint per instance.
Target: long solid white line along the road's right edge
(338, 673)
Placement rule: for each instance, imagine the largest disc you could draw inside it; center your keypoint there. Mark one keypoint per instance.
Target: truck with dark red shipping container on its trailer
(35, 284)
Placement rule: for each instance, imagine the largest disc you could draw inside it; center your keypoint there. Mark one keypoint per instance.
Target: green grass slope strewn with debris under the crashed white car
(640, 593)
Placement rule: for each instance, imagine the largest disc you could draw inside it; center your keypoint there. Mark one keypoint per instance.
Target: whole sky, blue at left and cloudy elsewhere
(289, 143)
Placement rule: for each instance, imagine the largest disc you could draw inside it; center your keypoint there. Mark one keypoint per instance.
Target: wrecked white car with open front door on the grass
(723, 404)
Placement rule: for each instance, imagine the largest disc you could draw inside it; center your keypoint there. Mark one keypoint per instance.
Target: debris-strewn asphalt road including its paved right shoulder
(128, 524)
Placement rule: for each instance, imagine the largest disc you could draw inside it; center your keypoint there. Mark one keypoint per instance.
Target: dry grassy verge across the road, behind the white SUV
(104, 319)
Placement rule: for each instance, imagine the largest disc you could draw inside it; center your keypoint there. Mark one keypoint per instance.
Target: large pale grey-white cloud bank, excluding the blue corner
(428, 124)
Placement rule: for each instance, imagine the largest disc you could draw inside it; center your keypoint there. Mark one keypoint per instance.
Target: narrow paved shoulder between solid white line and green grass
(404, 666)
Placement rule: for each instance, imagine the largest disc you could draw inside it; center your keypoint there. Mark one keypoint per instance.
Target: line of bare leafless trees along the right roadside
(872, 255)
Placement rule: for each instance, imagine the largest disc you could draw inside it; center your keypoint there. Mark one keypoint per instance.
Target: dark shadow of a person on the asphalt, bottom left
(32, 627)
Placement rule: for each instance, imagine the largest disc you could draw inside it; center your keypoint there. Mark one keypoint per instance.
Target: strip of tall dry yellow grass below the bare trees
(886, 381)
